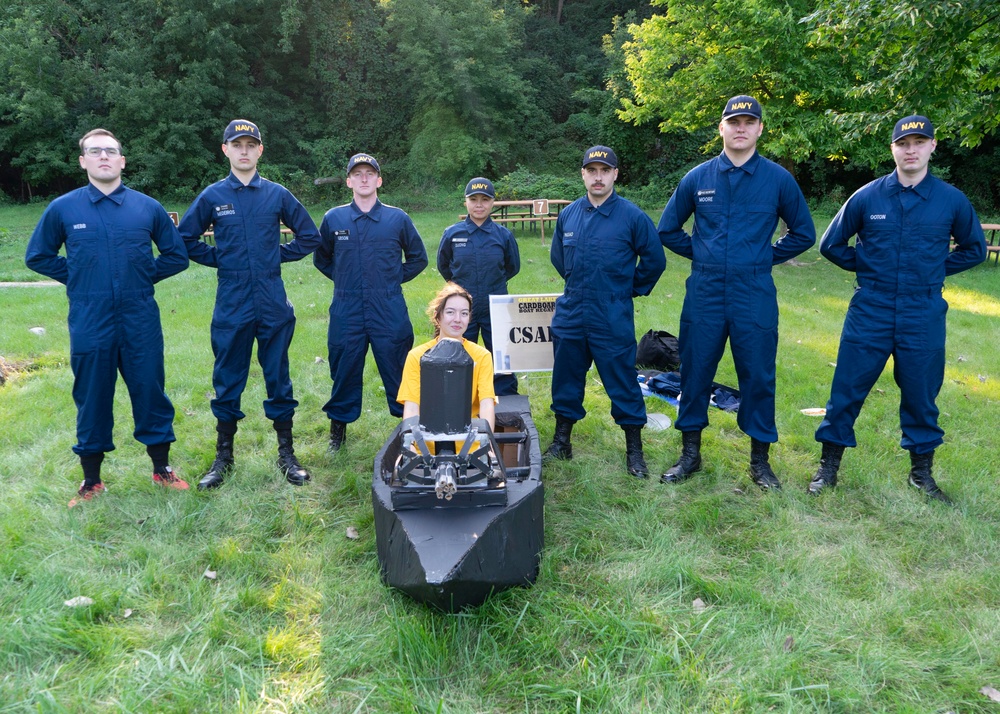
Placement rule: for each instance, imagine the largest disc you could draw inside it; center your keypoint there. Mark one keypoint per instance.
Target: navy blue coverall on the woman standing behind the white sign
(481, 259)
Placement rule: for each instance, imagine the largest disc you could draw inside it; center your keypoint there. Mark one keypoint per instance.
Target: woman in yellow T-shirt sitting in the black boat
(449, 312)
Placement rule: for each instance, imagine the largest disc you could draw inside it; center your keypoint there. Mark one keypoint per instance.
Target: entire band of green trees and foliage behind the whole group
(444, 89)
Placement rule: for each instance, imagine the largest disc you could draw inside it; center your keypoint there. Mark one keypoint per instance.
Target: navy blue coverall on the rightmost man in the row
(901, 258)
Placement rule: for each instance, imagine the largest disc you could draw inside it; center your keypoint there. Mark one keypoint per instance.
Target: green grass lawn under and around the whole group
(868, 599)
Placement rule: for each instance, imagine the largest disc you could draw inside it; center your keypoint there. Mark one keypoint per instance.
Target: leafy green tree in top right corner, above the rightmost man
(941, 59)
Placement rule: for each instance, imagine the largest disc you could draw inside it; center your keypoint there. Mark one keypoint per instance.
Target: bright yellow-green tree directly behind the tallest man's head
(685, 63)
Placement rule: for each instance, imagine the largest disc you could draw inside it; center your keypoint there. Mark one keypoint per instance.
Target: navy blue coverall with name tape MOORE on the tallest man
(730, 293)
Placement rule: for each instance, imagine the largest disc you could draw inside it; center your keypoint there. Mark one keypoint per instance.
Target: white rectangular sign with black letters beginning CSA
(522, 332)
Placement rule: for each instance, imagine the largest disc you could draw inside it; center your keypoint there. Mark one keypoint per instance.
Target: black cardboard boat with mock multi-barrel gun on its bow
(451, 528)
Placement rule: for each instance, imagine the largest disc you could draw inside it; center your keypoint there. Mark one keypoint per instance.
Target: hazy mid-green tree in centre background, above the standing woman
(473, 111)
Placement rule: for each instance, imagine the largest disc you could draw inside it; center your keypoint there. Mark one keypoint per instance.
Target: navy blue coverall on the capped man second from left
(250, 301)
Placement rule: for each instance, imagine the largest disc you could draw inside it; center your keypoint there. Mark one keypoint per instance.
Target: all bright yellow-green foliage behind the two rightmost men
(833, 76)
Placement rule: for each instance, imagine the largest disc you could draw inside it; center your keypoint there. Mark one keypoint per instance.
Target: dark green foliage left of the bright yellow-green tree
(438, 89)
